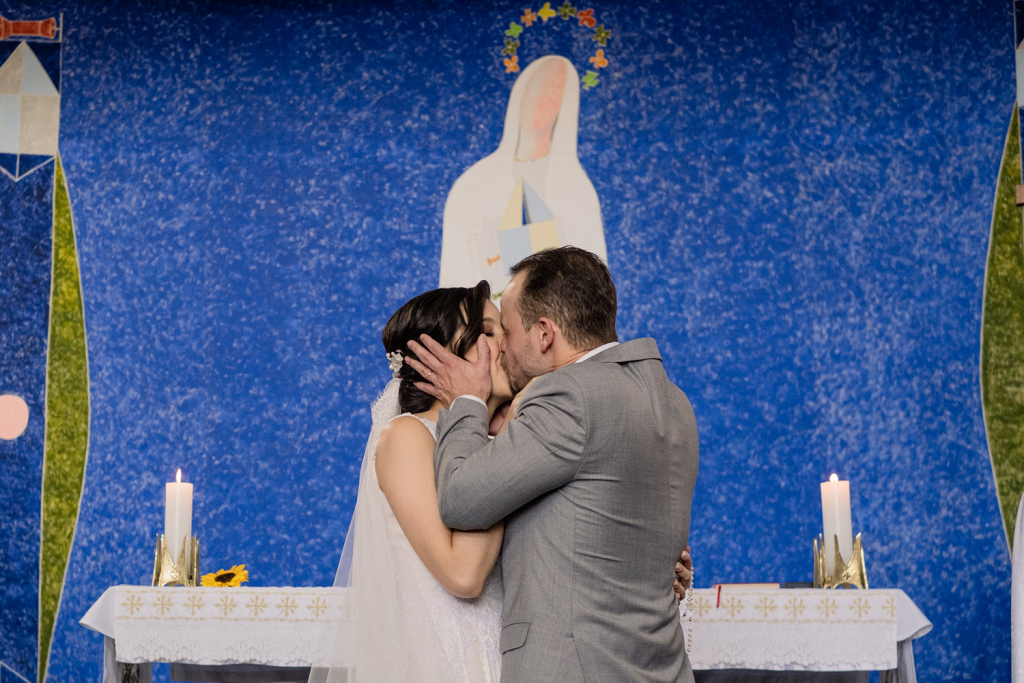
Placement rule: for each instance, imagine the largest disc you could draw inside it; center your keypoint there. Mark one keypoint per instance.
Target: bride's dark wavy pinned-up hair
(453, 317)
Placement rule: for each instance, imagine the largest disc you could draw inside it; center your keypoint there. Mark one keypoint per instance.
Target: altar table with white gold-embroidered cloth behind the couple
(742, 629)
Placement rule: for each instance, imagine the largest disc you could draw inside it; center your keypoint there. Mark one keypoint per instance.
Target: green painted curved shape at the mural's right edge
(1003, 336)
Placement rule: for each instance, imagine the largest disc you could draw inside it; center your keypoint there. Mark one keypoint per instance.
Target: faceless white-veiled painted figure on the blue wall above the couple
(532, 193)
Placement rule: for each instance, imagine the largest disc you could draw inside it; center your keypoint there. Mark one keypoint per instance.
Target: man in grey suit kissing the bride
(593, 476)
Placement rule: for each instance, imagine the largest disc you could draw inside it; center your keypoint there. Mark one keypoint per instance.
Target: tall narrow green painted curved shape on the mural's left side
(67, 418)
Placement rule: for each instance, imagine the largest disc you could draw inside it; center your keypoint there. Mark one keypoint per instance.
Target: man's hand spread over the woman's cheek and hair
(448, 376)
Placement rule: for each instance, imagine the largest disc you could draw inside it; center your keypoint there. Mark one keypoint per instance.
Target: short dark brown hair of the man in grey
(574, 288)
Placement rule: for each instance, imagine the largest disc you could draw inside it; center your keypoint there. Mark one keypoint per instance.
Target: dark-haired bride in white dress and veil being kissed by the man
(424, 602)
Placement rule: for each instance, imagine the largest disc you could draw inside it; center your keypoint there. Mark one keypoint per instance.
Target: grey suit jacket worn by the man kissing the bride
(594, 480)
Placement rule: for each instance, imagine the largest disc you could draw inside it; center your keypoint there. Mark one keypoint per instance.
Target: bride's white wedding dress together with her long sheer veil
(404, 626)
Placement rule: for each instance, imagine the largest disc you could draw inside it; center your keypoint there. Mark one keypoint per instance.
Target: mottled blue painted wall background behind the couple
(797, 200)
